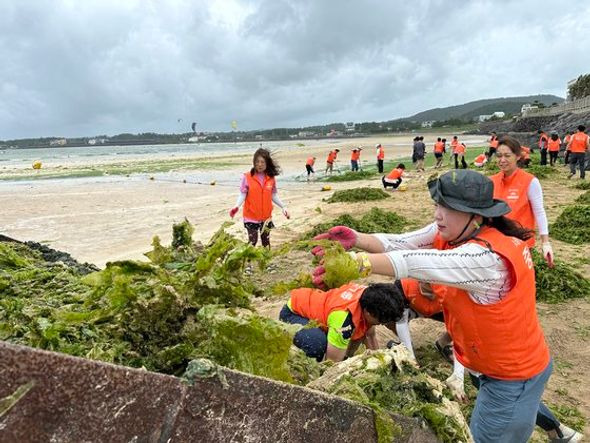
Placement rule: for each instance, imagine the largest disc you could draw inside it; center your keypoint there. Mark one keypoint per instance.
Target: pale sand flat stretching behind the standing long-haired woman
(112, 218)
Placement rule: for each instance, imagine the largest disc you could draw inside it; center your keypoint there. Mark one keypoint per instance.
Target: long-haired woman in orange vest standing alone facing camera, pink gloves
(258, 190)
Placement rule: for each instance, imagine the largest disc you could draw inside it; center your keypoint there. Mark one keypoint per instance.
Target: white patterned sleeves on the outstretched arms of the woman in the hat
(471, 266)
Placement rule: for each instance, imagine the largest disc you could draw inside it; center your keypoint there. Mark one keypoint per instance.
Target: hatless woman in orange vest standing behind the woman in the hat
(523, 193)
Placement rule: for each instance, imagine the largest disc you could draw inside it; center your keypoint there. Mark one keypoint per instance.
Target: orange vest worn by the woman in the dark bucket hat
(503, 340)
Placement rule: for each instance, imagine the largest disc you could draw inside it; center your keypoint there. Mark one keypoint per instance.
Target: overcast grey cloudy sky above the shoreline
(88, 67)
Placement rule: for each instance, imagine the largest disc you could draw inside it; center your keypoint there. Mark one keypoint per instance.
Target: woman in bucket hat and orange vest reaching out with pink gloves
(489, 305)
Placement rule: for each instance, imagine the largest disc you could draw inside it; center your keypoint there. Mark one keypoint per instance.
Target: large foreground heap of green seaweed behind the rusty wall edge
(187, 302)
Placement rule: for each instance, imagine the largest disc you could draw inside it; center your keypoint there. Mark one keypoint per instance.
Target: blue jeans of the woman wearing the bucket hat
(505, 411)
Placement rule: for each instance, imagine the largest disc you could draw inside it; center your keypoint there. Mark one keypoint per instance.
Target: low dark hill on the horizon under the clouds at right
(469, 110)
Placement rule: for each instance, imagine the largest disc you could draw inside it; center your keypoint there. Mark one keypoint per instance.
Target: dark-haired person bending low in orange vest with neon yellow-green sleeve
(345, 317)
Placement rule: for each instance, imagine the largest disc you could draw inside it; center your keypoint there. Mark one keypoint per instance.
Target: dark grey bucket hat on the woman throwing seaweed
(467, 191)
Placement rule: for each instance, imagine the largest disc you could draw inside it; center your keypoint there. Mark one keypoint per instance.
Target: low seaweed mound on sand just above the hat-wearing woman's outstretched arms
(376, 220)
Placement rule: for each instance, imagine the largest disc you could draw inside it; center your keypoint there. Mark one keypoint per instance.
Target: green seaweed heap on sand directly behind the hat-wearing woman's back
(560, 283)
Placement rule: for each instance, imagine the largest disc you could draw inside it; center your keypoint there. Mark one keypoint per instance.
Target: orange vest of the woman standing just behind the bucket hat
(513, 190)
